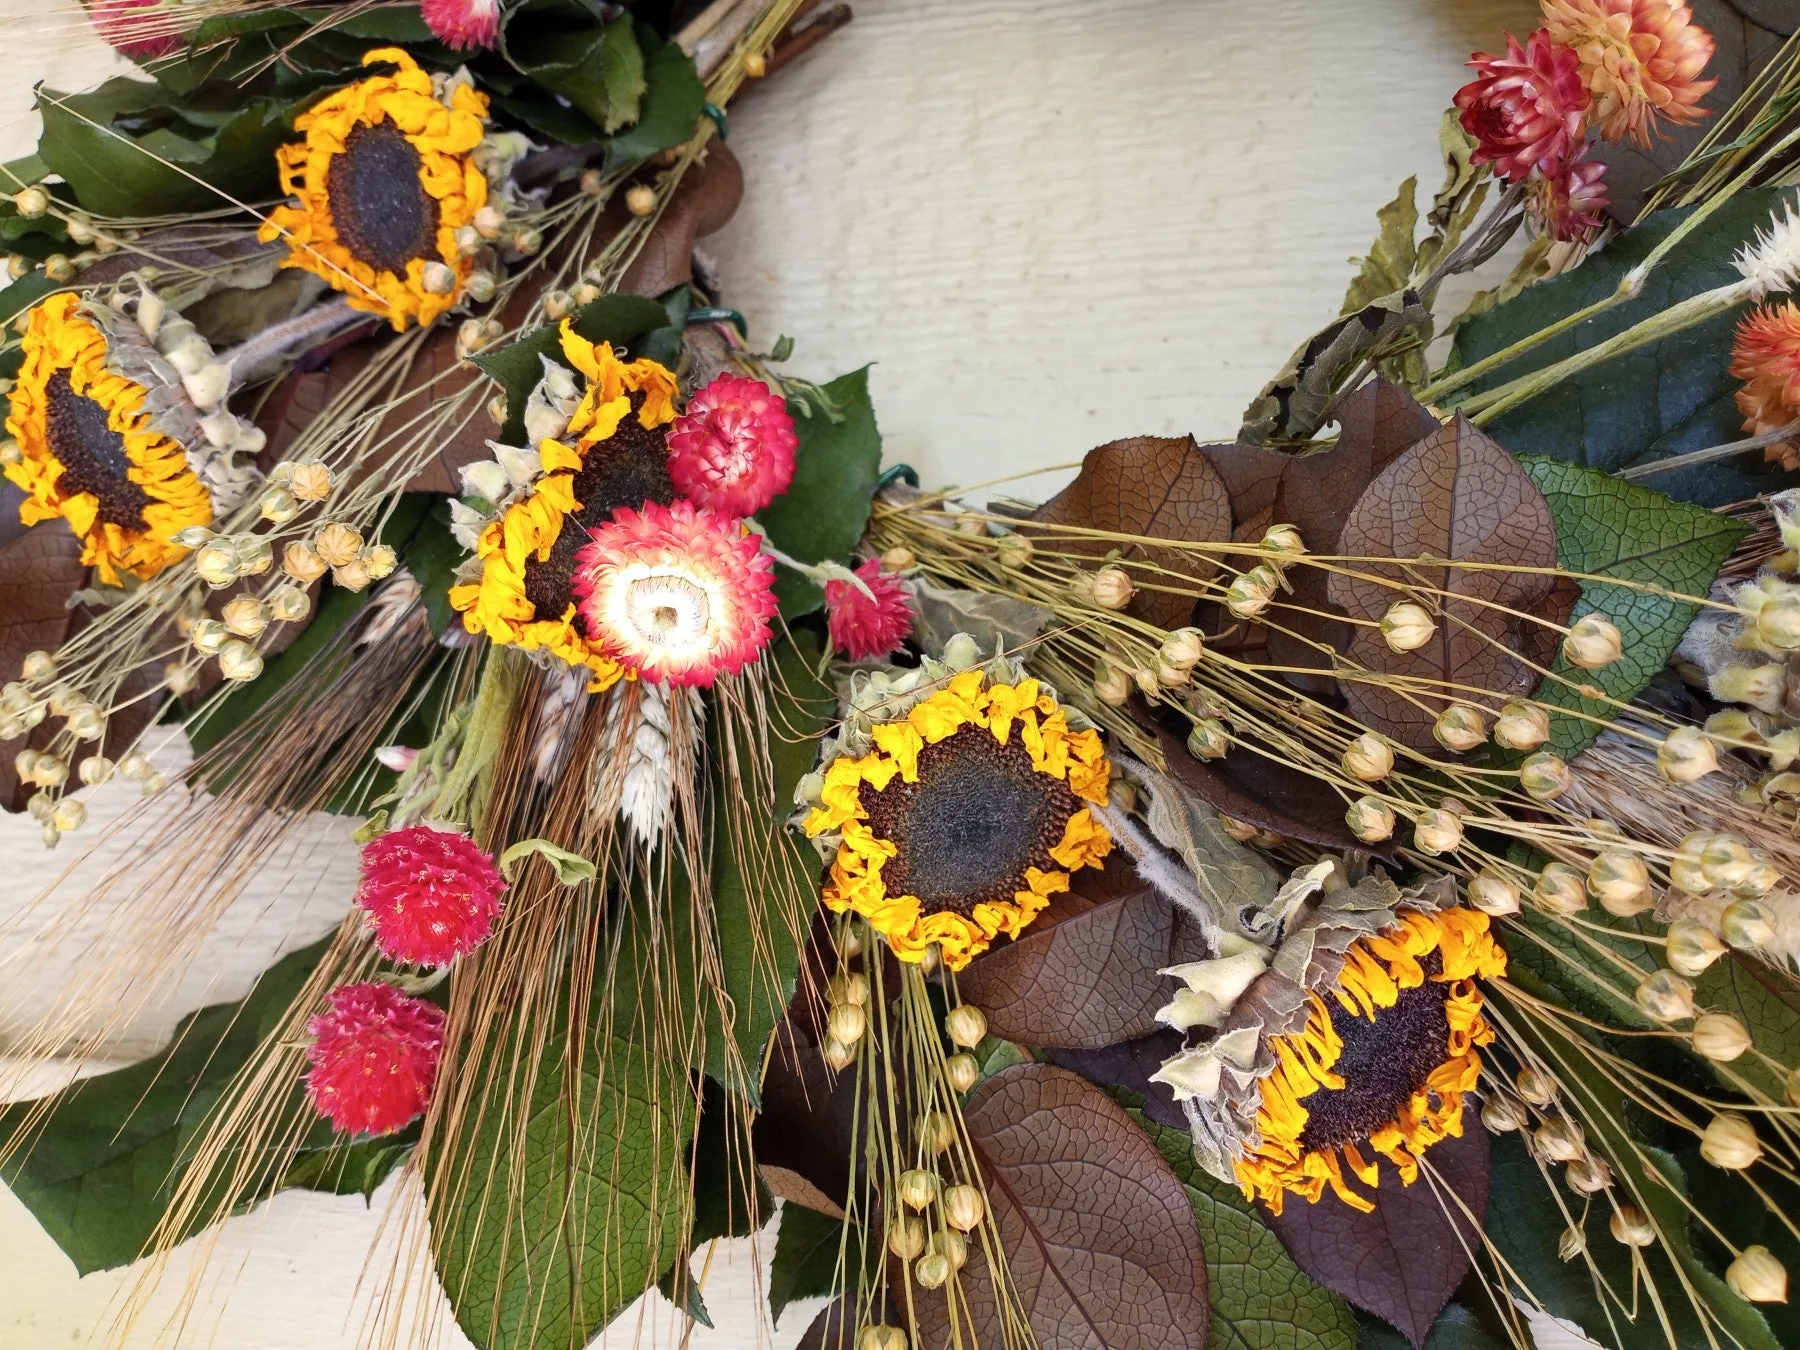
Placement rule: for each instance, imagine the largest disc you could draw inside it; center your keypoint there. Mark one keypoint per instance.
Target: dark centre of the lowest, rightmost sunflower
(1383, 1063)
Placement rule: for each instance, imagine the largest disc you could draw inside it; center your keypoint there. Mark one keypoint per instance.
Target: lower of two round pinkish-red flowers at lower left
(375, 1056)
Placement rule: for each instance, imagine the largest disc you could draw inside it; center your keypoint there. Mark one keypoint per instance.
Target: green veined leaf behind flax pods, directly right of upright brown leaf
(1614, 528)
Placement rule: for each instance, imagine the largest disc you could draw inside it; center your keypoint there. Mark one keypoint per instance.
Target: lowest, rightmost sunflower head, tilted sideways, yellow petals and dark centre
(1408, 998)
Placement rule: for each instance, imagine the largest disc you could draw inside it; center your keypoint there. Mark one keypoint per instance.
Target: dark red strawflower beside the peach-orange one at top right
(1525, 109)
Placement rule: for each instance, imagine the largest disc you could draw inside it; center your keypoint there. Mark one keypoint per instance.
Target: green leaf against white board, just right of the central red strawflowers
(825, 510)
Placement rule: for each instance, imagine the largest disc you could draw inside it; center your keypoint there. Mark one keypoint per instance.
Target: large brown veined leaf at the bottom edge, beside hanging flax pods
(1099, 1234)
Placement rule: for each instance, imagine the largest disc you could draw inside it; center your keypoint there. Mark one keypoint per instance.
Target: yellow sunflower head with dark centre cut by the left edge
(89, 453)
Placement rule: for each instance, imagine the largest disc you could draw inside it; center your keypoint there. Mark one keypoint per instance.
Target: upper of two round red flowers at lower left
(431, 895)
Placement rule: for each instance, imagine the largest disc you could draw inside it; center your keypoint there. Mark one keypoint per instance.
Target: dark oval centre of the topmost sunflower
(379, 206)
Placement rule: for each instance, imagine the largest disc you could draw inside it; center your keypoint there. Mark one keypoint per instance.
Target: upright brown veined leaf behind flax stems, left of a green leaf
(1461, 498)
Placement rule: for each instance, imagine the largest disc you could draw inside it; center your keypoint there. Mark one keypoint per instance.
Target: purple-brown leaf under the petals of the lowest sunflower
(1405, 1261)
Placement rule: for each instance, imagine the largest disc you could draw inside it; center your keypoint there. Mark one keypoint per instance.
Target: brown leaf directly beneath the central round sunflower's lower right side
(1090, 980)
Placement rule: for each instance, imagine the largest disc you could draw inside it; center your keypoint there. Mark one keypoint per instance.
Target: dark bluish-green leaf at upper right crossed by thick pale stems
(1657, 402)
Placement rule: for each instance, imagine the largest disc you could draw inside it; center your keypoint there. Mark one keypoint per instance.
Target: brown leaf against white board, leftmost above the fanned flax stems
(1160, 487)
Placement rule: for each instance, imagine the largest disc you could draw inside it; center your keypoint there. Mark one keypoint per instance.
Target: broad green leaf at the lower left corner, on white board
(100, 1174)
